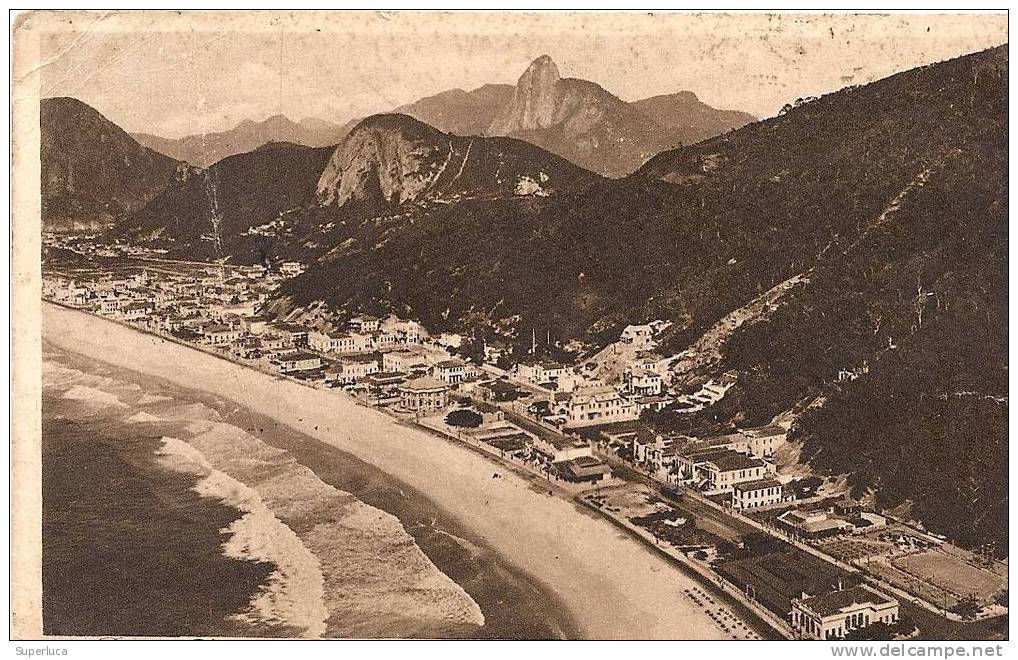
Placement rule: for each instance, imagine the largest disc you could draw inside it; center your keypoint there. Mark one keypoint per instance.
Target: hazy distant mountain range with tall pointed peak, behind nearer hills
(577, 120)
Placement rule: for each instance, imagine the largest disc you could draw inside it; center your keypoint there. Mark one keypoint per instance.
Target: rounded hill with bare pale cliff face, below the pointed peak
(392, 160)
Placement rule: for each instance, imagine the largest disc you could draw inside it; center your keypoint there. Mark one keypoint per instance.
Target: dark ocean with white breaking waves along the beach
(171, 513)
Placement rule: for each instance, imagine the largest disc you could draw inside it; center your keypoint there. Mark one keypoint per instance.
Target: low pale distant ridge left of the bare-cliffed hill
(205, 149)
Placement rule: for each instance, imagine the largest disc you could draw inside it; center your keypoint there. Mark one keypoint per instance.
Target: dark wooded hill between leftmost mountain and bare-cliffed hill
(219, 211)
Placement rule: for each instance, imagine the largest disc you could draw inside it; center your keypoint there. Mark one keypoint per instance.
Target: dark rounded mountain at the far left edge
(93, 173)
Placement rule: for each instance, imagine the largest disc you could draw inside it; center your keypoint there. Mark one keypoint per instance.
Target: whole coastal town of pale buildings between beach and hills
(732, 511)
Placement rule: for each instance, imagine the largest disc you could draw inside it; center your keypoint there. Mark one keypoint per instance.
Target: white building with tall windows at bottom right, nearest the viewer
(833, 616)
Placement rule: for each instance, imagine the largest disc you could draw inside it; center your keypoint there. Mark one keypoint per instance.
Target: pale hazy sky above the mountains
(175, 75)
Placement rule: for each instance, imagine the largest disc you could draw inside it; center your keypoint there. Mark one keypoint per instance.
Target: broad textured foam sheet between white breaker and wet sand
(378, 582)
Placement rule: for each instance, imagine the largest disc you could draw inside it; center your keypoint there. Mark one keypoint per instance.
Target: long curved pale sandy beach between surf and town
(612, 585)
